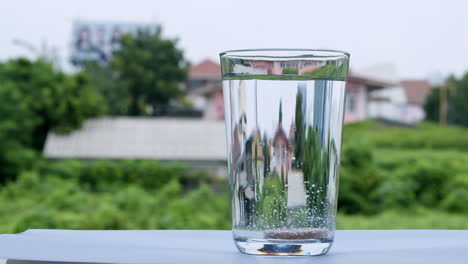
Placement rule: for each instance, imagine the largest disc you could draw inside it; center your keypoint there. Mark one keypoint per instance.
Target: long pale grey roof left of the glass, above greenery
(142, 138)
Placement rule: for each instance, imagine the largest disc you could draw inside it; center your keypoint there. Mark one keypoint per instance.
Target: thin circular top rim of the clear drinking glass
(251, 53)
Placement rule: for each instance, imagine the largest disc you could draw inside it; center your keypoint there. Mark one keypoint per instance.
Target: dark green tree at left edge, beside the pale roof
(35, 100)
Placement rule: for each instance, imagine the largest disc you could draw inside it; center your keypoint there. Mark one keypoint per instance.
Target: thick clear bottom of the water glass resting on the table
(308, 247)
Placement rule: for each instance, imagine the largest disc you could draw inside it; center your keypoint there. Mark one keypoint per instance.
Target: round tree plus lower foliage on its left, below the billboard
(144, 77)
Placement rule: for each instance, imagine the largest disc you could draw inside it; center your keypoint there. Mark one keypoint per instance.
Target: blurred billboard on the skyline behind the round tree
(96, 41)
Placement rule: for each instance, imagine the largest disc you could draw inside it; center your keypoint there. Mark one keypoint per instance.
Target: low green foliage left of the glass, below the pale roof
(60, 197)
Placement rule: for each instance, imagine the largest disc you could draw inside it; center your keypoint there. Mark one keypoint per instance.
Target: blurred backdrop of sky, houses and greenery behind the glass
(111, 112)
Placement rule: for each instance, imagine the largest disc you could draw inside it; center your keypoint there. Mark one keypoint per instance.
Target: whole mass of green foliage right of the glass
(386, 168)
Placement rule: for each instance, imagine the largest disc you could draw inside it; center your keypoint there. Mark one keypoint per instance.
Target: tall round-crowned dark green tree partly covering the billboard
(151, 68)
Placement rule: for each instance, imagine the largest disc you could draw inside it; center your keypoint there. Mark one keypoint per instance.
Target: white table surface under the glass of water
(200, 246)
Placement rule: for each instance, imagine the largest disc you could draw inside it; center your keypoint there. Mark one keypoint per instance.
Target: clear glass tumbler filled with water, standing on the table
(284, 119)
